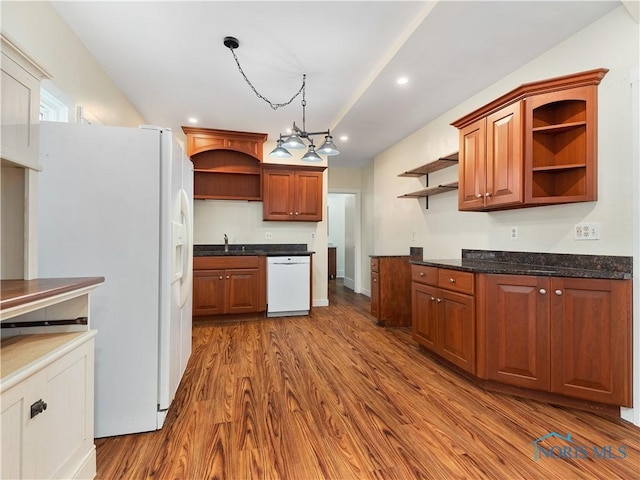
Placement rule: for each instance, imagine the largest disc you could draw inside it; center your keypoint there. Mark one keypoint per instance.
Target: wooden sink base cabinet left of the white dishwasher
(228, 285)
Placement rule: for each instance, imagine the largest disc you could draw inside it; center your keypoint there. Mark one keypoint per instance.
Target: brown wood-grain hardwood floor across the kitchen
(333, 396)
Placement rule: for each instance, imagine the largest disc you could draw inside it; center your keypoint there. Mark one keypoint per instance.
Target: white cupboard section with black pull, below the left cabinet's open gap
(56, 442)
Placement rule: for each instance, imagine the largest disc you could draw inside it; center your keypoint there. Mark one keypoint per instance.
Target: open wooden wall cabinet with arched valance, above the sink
(226, 164)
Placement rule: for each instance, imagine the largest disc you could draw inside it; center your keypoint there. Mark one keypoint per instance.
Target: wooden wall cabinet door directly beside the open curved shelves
(504, 157)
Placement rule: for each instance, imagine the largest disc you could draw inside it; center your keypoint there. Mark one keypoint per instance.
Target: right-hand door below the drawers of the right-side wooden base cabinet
(456, 329)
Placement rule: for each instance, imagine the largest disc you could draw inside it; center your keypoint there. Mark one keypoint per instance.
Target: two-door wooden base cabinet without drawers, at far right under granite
(569, 336)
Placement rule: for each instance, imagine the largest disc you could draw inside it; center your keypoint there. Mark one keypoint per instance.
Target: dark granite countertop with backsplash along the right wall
(538, 264)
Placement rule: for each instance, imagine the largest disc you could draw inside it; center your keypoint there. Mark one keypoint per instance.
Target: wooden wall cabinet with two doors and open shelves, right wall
(536, 145)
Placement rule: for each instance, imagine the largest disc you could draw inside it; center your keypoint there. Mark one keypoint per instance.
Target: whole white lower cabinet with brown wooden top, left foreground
(47, 379)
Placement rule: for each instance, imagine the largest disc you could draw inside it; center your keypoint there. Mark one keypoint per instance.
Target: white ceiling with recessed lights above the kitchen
(169, 60)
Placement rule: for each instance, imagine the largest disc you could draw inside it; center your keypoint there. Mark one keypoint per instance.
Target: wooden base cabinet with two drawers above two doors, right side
(443, 309)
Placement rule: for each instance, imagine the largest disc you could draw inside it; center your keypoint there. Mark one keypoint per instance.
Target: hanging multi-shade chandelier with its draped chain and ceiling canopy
(296, 139)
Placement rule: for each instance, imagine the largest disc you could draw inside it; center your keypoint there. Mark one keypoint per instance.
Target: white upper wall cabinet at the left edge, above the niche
(20, 106)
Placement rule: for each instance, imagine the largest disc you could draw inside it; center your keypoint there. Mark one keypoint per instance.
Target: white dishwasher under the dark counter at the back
(288, 285)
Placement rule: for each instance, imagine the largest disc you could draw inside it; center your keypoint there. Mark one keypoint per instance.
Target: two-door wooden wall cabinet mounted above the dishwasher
(292, 193)
